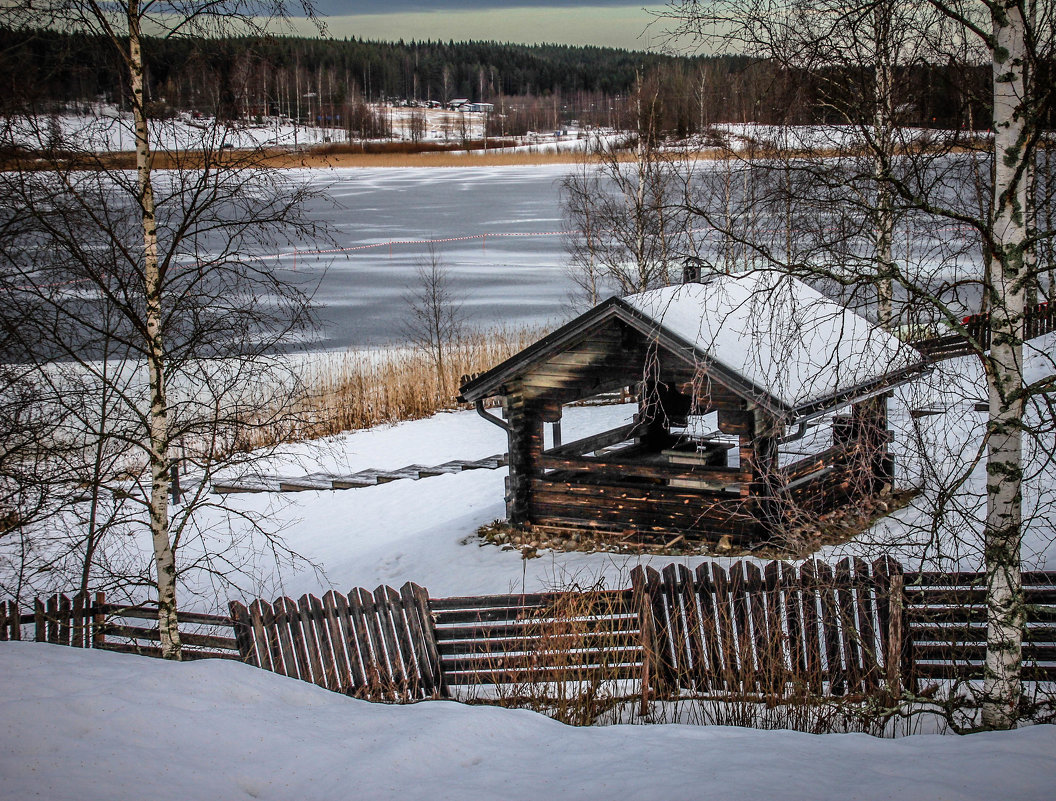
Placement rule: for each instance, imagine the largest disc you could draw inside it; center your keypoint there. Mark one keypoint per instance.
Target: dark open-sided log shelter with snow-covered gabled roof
(795, 385)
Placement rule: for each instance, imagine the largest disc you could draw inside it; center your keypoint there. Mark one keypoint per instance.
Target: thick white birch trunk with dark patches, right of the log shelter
(1004, 533)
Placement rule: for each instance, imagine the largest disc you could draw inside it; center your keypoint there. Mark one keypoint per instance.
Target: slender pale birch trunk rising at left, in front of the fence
(159, 435)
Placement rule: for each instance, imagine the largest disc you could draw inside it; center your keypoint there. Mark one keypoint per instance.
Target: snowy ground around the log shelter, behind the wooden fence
(425, 531)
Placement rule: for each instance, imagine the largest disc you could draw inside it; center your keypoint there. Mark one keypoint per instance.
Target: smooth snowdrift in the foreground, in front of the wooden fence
(97, 726)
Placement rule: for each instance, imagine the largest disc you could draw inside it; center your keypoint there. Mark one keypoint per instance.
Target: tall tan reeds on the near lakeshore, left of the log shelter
(362, 389)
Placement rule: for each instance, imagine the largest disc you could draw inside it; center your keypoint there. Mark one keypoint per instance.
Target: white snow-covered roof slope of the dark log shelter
(782, 336)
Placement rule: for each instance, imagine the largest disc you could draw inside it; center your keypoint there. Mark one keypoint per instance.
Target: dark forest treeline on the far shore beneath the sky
(533, 87)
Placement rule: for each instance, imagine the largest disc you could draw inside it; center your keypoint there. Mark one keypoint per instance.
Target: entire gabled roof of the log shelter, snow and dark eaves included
(772, 338)
